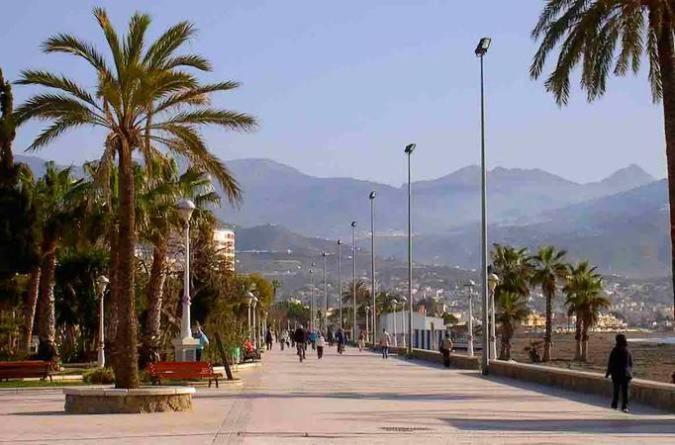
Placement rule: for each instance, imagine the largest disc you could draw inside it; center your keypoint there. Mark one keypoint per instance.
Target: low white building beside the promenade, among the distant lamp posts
(427, 331)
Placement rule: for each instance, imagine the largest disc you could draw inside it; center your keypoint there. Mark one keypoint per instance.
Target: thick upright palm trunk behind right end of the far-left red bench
(47, 349)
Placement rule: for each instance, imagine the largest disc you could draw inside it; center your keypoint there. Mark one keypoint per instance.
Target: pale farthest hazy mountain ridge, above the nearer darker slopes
(278, 194)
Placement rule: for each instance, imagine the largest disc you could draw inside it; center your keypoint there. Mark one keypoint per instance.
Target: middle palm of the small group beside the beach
(548, 271)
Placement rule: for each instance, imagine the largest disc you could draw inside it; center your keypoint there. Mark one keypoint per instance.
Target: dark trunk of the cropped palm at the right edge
(666, 54)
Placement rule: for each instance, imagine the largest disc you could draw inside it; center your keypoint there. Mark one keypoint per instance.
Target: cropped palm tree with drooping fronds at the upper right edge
(611, 37)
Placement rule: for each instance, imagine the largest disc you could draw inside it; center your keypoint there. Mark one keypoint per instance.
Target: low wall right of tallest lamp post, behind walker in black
(656, 394)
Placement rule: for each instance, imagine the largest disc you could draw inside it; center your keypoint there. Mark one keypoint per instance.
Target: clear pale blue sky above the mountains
(340, 88)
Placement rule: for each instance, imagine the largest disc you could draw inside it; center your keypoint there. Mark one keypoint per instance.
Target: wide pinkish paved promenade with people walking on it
(354, 398)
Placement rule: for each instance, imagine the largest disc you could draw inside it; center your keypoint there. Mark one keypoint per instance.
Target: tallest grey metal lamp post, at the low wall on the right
(480, 51)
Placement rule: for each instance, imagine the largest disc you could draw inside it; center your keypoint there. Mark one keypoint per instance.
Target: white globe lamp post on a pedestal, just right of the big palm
(186, 346)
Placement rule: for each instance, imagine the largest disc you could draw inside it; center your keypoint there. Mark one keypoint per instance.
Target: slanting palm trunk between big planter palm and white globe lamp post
(155, 293)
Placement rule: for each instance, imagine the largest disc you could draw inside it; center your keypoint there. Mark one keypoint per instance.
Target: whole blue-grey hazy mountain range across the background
(620, 223)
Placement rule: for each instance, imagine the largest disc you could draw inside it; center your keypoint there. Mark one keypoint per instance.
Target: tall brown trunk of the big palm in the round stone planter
(126, 364)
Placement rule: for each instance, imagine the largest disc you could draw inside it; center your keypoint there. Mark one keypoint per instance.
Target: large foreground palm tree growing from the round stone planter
(145, 100)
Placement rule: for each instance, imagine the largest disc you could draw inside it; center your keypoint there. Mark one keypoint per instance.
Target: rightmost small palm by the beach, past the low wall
(581, 286)
